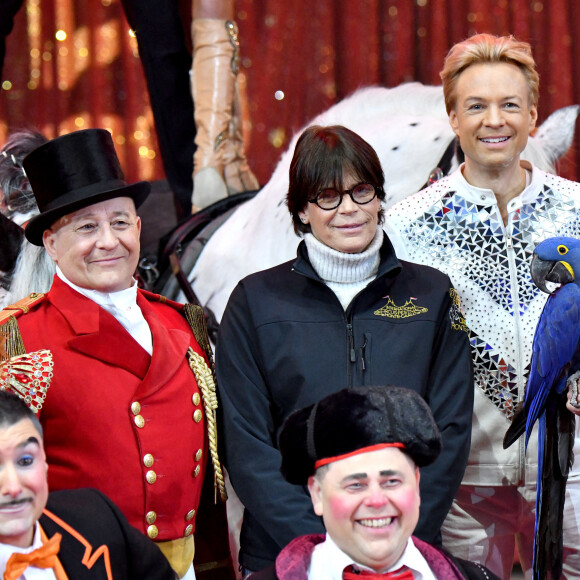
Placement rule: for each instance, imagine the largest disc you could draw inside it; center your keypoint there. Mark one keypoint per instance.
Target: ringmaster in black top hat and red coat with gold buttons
(119, 379)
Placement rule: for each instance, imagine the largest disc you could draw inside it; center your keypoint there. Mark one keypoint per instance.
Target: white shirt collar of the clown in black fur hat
(328, 562)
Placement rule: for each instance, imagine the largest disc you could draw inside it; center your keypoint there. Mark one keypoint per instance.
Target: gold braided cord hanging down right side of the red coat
(204, 377)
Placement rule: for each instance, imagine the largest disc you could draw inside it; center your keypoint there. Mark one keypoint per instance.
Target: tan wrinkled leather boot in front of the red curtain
(220, 165)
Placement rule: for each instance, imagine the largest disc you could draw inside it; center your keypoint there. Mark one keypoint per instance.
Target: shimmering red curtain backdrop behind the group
(73, 64)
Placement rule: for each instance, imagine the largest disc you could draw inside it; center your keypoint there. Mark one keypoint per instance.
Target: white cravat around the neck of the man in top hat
(123, 306)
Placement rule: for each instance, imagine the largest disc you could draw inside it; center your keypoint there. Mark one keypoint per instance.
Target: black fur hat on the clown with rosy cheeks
(354, 419)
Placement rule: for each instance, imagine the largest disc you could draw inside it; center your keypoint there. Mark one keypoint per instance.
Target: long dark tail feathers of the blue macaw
(555, 443)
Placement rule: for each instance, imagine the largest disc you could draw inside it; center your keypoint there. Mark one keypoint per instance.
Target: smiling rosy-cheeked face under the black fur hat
(370, 505)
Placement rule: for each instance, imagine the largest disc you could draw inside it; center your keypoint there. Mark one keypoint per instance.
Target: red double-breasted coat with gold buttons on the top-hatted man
(104, 386)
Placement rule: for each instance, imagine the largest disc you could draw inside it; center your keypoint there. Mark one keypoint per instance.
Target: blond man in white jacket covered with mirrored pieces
(480, 226)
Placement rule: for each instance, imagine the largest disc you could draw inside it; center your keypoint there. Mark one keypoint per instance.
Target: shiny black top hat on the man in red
(74, 171)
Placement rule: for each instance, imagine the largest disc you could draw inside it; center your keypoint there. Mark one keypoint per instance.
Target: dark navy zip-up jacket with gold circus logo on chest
(285, 342)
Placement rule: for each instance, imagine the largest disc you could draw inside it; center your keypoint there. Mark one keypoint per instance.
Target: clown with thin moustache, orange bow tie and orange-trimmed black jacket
(75, 534)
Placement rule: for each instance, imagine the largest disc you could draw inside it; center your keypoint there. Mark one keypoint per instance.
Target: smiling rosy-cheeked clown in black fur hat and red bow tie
(360, 451)
